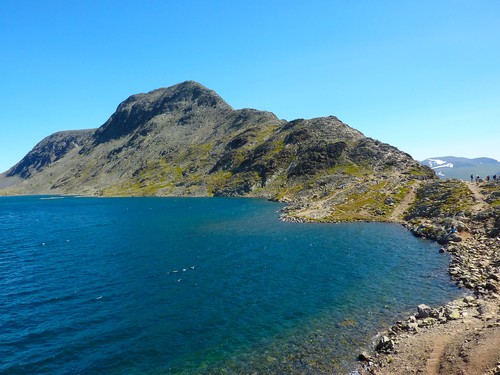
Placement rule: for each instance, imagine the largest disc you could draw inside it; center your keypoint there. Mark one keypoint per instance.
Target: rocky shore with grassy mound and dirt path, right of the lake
(462, 337)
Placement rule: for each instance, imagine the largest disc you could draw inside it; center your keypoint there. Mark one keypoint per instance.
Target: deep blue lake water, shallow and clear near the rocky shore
(199, 285)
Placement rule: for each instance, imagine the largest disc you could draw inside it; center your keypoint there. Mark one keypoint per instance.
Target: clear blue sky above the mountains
(423, 75)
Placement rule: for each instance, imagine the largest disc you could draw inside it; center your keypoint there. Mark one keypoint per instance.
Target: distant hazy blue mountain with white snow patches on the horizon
(463, 168)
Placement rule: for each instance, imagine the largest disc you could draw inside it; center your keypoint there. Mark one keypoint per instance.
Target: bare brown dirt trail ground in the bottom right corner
(470, 345)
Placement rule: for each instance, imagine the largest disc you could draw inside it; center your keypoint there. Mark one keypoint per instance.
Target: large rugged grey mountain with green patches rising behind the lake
(186, 141)
